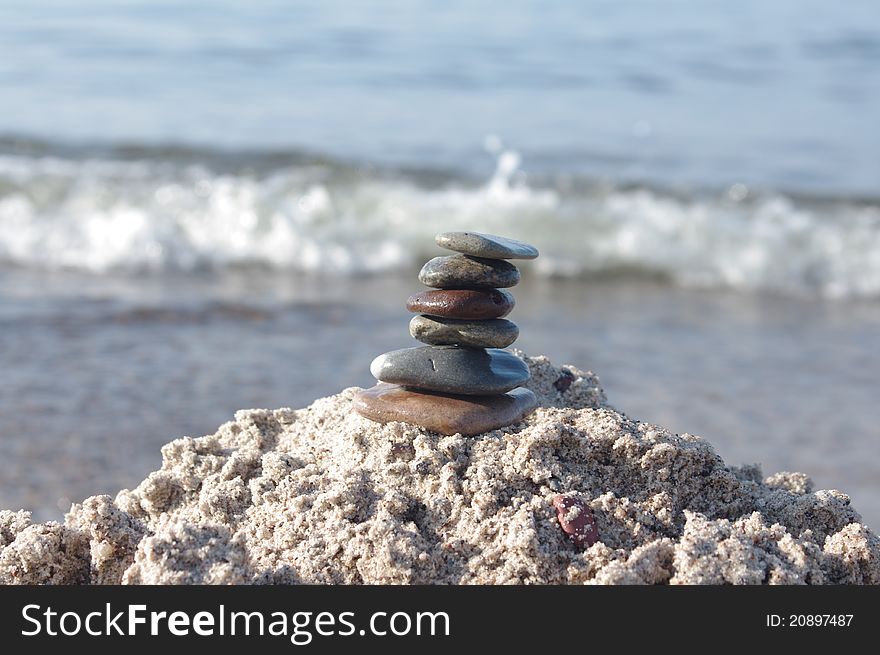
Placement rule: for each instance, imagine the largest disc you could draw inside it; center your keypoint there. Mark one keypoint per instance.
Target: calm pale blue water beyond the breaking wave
(782, 94)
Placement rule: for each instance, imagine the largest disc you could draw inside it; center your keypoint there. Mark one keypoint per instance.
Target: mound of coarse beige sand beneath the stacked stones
(324, 495)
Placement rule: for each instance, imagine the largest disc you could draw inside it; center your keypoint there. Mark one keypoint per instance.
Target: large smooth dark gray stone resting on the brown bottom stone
(451, 369)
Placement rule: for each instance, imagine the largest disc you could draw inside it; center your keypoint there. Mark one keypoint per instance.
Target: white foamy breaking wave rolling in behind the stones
(155, 212)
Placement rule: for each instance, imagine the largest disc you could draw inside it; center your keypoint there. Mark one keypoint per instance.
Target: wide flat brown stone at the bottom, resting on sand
(444, 413)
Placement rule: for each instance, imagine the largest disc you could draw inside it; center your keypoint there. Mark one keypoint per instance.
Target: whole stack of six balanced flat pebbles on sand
(462, 382)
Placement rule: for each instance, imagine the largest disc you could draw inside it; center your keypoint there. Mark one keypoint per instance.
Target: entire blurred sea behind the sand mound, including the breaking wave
(210, 206)
